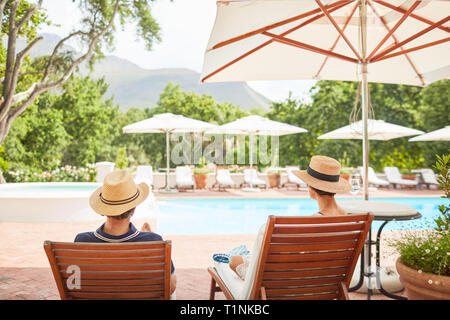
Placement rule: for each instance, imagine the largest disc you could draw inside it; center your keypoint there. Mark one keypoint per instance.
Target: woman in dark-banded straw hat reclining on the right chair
(323, 179)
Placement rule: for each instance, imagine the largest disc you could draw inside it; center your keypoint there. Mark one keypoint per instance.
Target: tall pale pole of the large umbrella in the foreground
(365, 99)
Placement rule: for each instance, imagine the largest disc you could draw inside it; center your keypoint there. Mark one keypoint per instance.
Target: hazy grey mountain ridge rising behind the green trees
(134, 86)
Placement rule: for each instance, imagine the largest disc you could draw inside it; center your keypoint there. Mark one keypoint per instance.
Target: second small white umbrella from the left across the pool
(255, 125)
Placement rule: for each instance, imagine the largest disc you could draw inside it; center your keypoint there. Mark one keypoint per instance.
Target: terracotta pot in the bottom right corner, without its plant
(418, 287)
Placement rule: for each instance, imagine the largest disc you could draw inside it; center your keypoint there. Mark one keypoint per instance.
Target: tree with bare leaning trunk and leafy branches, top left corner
(21, 18)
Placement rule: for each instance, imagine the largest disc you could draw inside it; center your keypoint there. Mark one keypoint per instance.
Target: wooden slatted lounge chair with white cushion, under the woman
(304, 258)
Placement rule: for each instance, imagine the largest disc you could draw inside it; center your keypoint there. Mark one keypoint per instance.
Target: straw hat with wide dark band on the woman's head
(323, 173)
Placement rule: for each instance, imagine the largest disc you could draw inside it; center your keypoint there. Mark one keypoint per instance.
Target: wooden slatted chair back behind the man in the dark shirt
(138, 270)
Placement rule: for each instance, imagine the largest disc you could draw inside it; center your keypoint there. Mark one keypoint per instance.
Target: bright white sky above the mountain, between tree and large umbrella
(185, 29)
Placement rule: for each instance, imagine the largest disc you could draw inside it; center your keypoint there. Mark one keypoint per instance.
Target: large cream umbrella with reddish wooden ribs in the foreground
(398, 41)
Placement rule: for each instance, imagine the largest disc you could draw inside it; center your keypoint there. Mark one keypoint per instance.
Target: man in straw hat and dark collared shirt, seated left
(117, 199)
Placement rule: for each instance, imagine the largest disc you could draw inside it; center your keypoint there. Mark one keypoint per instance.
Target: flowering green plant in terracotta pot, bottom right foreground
(424, 262)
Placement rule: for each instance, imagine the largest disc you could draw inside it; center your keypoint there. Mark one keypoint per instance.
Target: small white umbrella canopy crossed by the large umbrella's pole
(377, 130)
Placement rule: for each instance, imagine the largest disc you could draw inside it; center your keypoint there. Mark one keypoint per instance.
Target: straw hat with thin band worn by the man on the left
(118, 194)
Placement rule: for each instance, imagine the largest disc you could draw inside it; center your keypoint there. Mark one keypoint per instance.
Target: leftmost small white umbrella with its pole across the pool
(167, 123)
